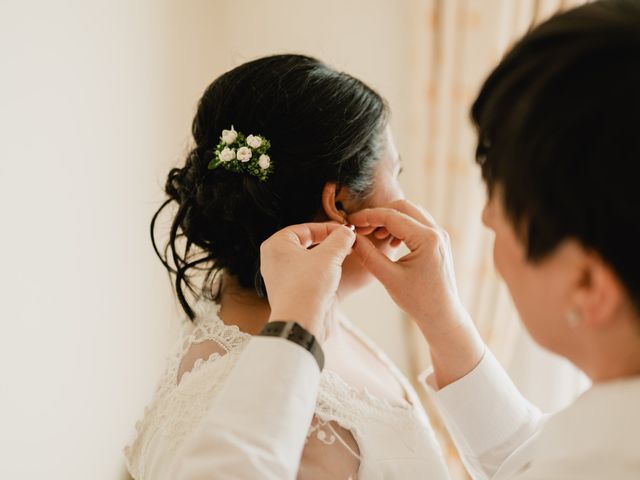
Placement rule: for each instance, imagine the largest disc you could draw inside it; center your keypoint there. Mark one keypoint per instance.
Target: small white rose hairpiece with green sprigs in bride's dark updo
(241, 154)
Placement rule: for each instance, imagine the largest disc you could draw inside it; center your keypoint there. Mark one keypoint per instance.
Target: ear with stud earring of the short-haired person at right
(599, 293)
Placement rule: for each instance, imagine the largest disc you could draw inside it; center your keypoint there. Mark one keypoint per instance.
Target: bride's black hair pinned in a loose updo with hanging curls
(323, 125)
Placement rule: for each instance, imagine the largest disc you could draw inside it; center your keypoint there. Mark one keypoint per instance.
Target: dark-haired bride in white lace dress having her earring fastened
(278, 141)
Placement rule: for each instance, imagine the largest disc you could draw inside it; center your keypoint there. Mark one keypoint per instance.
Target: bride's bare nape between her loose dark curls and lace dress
(244, 308)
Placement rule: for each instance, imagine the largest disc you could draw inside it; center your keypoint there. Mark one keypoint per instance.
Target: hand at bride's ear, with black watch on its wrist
(301, 282)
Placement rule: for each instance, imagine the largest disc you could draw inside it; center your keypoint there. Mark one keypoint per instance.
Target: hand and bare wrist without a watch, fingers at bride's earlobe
(423, 284)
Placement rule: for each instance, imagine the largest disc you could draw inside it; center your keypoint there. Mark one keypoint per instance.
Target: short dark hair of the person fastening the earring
(559, 130)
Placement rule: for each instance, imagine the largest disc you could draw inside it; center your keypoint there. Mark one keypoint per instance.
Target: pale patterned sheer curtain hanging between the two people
(458, 43)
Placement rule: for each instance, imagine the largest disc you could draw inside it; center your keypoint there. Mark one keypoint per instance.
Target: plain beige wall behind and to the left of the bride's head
(96, 100)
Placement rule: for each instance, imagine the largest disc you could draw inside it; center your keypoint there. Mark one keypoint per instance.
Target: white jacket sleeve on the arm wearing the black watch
(257, 424)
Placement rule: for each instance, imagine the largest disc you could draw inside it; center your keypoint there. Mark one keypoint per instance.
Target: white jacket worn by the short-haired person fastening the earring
(253, 430)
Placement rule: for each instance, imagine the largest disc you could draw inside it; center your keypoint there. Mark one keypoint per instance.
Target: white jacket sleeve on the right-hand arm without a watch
(486, 416)
